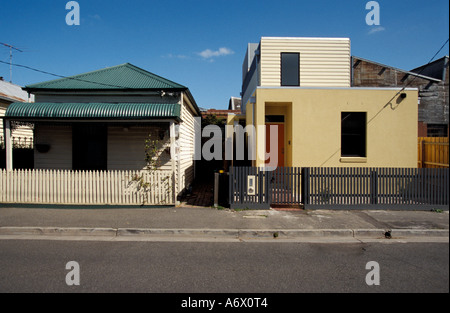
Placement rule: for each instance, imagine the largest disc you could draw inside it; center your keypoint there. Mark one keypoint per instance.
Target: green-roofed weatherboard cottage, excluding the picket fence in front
(100, 120)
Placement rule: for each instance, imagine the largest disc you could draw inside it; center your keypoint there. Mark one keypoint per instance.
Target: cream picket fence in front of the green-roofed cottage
(84, 187)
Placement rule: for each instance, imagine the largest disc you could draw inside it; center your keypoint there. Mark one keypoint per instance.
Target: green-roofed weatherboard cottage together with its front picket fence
(97, 124)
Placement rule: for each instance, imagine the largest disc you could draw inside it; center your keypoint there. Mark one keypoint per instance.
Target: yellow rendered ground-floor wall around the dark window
(313, 124)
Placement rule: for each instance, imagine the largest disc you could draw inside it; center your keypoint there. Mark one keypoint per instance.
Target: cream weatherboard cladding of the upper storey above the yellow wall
(324, 62)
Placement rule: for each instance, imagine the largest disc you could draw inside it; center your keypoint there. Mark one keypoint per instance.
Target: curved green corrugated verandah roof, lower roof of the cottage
(120, 111)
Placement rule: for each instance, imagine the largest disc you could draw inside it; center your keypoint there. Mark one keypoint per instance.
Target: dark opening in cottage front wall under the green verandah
(89, 147)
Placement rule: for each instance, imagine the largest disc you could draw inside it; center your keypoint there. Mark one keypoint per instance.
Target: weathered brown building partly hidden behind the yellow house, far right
(432, 81)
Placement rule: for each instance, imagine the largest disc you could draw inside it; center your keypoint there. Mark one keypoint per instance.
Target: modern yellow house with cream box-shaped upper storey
(297, 95)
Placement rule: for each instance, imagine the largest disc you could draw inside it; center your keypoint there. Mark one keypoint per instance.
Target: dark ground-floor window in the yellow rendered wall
(353, 134)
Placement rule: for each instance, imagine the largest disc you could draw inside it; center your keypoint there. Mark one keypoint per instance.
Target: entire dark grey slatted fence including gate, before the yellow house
(386, 188)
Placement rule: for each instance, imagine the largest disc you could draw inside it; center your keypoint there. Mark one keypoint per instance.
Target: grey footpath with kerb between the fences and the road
(191, 223)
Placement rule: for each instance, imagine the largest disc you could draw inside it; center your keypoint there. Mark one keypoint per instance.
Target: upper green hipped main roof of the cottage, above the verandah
(124, 76)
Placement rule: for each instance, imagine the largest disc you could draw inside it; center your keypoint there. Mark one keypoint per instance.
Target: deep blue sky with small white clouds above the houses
(201, 44)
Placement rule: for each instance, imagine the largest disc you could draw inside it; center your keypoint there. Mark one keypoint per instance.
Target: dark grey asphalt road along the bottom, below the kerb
(194, 267)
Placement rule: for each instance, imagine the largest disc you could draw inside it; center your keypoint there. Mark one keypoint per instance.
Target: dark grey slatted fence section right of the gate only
(383, 188)
